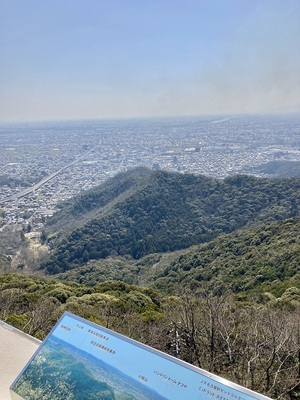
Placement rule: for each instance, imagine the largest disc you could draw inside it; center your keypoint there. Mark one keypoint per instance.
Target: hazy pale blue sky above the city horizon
(64, 59)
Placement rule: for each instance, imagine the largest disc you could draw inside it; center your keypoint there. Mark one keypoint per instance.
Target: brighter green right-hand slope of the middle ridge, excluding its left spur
(265, 259)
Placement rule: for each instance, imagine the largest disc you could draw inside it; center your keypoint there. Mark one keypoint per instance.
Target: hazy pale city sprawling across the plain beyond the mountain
(44, 164)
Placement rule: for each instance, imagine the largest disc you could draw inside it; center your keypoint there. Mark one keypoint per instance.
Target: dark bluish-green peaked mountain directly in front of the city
(142, 212)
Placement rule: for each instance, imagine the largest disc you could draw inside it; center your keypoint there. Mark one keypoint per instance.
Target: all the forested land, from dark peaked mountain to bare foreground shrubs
(206, 270)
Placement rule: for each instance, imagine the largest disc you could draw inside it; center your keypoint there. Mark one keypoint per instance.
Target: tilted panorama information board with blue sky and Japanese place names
(82, 360)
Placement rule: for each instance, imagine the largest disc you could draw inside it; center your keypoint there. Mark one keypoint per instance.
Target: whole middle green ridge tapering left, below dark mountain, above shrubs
(248, 261)
